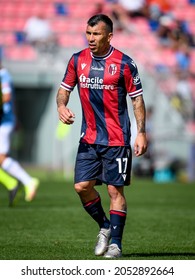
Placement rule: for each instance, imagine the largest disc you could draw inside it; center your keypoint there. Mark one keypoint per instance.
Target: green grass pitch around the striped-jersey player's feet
(160, 223)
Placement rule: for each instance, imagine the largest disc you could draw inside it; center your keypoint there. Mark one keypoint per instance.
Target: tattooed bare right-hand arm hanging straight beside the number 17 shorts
(140, 145)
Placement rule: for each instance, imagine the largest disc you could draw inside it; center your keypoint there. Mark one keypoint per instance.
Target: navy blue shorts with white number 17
(109, 165)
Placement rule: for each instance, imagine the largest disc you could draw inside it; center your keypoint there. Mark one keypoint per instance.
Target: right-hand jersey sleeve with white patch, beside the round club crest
(132, 79)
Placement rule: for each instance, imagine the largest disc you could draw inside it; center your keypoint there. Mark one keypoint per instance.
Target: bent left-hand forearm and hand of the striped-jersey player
(65, 114)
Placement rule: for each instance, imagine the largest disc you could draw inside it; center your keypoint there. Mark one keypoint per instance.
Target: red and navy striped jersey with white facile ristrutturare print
(103, 84)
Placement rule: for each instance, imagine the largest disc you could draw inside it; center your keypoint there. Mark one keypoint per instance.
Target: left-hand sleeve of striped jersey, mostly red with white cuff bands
(70, 77)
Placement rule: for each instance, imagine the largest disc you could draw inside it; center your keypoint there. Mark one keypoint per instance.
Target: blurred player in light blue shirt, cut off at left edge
(7, 163)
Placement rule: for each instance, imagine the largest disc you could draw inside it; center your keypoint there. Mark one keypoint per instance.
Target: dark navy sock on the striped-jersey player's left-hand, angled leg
(95, 210)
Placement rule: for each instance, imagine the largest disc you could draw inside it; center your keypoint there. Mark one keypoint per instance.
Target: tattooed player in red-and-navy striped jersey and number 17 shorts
(104, 76)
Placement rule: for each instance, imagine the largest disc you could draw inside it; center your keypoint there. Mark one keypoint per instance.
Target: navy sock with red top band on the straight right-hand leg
(117, 221)
